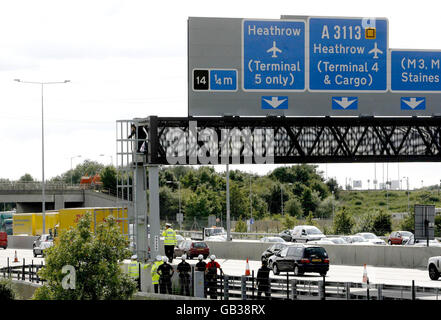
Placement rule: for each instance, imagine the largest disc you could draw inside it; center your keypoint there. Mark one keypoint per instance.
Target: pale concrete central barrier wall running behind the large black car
(348, 254)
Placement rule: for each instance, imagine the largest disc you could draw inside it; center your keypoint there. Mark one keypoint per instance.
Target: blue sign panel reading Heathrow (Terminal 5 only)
(273, 55)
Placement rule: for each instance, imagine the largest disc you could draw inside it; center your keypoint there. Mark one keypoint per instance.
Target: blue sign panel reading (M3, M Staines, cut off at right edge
(415, 70)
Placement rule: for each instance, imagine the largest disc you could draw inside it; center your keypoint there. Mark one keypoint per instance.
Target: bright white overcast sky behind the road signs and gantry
(128, 59)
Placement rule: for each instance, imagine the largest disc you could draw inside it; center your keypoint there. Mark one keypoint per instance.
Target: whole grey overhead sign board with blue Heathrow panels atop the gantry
(246, 67)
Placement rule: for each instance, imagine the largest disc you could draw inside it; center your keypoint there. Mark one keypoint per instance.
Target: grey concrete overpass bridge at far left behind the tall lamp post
(28, 196)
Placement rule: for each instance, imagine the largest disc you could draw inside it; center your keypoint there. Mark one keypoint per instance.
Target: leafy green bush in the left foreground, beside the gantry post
(95, 257)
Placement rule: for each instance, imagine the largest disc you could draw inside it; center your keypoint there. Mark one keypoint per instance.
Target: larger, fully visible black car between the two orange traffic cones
(300, 259)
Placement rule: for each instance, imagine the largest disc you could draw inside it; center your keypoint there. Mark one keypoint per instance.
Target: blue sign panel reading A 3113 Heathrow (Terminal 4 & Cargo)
(348, 54)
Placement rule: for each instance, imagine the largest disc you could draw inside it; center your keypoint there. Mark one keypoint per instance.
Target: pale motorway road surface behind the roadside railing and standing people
(337, 273)
